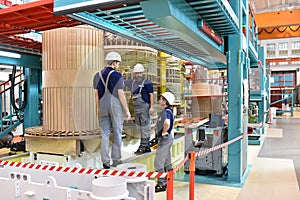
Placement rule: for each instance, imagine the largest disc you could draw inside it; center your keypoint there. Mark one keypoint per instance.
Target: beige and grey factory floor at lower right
(274, 168)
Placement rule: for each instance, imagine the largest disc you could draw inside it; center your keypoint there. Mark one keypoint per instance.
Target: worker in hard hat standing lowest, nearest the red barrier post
(164, 138)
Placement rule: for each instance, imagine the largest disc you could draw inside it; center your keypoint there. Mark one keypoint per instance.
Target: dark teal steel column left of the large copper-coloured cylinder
(32, 77)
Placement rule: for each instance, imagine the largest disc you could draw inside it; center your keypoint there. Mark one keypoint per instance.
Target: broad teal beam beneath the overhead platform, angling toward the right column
(180, 19)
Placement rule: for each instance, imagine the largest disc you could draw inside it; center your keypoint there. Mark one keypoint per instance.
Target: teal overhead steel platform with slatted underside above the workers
(139, 22)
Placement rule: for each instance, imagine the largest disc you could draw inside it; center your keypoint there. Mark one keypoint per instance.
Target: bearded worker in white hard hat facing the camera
(143, 101)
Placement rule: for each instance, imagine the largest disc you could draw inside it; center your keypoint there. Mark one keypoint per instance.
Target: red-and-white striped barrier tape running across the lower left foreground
(103, 172)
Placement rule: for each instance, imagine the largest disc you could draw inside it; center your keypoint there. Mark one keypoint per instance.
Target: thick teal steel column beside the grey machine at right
(235, 99)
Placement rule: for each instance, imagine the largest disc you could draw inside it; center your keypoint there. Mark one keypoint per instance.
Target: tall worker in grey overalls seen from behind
(110, 99)
